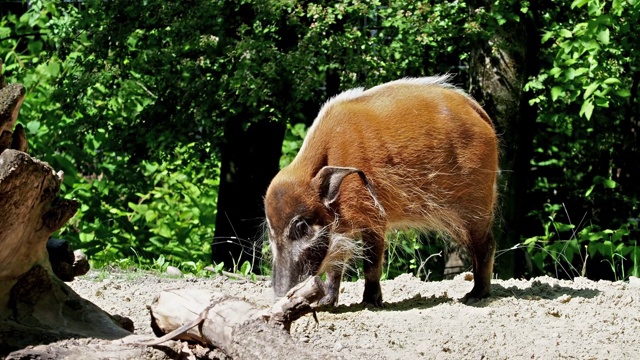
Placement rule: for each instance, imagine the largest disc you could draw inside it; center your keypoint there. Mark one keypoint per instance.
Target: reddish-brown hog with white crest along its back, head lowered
(430, 154)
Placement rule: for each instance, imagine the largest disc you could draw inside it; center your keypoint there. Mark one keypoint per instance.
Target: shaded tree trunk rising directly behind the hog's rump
(499, 69)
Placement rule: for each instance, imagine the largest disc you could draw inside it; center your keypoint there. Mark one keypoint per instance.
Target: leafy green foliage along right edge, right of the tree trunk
(586, 152)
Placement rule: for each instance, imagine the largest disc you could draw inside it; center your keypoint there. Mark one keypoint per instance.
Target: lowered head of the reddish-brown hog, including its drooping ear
(301, 220)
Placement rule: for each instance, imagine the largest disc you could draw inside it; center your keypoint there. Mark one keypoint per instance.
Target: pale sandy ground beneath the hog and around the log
(543, 318)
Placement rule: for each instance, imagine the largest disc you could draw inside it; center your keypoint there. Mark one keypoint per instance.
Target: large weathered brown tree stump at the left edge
(35, 305)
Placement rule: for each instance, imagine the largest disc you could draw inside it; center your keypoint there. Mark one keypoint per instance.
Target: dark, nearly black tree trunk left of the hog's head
(250, 159)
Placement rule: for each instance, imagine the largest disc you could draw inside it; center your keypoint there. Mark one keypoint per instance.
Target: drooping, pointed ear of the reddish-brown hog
(329, 179)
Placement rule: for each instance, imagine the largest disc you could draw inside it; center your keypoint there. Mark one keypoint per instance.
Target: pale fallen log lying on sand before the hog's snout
(235, 326)
